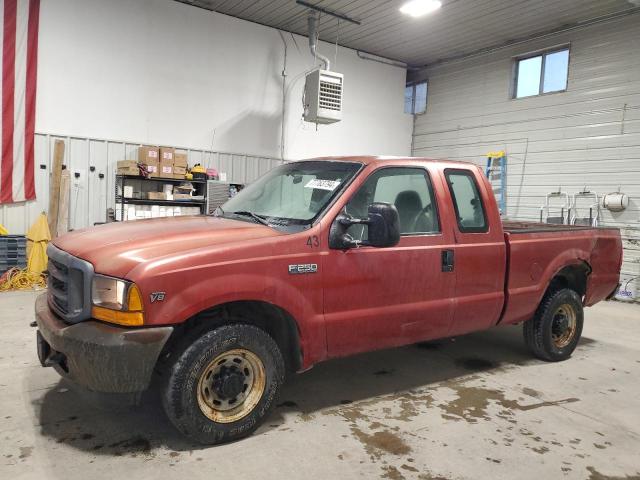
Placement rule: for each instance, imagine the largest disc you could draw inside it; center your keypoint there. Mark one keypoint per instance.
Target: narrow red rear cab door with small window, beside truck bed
(479, 251)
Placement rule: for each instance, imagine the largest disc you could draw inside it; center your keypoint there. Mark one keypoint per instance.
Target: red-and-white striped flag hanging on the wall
(19, 37)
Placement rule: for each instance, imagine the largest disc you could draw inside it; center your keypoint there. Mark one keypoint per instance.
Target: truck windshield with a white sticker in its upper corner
(290, 196)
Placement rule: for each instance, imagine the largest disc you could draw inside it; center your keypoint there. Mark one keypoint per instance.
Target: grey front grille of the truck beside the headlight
(69, 285)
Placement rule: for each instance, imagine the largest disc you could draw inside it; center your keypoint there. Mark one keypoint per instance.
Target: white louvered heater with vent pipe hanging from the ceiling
(322, 98)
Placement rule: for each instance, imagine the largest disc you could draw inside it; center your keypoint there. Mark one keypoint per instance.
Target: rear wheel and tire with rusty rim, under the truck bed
(548, 335)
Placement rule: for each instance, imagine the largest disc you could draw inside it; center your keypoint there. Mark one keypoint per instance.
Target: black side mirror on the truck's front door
(383, 228)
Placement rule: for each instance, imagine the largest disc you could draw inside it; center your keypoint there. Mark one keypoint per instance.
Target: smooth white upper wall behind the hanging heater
(162, 72)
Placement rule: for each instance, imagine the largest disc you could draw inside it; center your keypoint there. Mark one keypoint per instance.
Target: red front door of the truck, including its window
(383, 297)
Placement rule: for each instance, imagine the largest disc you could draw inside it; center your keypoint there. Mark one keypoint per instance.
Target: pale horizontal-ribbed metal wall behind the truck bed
(587, 136)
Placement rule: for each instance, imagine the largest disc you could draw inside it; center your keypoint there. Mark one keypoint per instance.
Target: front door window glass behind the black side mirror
(409, 189)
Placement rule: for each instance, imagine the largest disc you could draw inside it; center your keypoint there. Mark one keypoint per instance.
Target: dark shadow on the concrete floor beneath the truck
(105, 426)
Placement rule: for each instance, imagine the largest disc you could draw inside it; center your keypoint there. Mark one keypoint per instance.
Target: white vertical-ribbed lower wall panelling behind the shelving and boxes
(90, 195)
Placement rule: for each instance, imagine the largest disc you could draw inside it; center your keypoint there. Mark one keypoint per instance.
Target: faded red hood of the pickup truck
(116, 248)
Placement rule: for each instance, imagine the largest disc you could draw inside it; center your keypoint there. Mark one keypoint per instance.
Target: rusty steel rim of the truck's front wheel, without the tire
(231, 386)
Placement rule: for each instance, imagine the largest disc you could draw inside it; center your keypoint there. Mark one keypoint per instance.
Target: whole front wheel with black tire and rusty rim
(199, 392)
